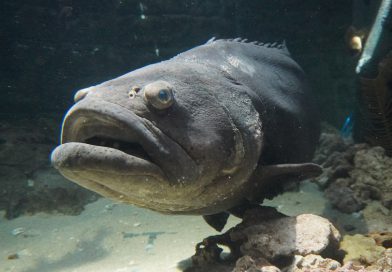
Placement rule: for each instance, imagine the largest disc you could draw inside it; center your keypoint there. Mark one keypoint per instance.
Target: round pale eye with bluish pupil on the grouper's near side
(159, 94)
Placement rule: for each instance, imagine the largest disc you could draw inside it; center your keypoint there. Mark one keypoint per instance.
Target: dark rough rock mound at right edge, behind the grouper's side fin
(354, 174)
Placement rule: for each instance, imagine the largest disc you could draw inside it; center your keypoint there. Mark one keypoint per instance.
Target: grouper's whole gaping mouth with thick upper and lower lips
(118, 154)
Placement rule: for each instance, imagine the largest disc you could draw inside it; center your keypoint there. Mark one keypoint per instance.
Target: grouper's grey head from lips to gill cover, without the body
(158, 138)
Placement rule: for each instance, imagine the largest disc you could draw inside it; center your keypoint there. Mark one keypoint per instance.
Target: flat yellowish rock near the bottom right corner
(360, 250)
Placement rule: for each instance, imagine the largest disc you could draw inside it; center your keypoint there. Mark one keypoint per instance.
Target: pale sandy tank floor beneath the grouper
(122, 238)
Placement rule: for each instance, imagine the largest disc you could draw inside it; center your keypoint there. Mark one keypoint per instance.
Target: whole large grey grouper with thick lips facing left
(212, 131)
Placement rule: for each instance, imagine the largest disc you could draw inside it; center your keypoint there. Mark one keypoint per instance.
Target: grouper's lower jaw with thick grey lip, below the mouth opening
(107, 171)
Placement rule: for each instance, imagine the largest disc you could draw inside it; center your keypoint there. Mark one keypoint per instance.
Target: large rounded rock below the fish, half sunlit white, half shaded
(289, 236)
